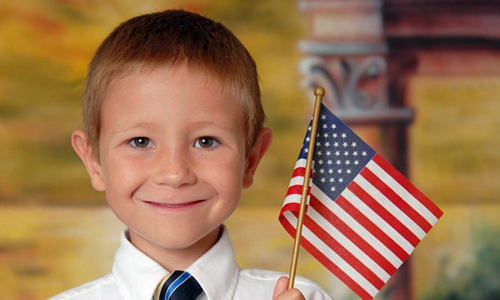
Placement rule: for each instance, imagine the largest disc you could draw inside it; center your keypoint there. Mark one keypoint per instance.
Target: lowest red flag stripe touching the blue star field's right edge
(372, 228)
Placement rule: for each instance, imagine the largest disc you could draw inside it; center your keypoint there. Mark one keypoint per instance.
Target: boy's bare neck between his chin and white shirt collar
(175, 259)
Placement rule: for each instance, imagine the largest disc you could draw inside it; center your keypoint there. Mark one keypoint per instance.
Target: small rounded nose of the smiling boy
(174, 169)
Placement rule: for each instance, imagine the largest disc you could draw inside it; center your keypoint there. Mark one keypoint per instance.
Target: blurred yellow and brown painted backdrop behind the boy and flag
(419, 80)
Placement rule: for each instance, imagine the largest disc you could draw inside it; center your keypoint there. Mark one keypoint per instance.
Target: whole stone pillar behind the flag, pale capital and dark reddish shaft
(346, 53)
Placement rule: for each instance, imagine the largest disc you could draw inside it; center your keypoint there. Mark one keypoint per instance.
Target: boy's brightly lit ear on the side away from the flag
(81, 144)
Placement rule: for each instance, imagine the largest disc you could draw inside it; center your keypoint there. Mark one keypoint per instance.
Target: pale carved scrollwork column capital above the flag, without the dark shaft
(346, 54)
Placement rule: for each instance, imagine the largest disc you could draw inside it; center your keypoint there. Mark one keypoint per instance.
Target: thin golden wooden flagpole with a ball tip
(319, 92)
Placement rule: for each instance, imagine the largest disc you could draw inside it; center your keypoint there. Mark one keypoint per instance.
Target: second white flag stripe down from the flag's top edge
(391, 207)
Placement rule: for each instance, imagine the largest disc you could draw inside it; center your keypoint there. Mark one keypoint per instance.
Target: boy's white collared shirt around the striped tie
(135, 276)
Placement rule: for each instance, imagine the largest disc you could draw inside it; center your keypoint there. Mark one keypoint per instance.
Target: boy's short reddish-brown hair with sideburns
(165, 38)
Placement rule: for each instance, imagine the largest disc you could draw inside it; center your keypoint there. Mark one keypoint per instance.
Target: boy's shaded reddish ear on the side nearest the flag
(262, 143)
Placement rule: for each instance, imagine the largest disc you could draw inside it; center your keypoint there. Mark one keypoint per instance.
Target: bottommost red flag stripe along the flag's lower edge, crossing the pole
(327, 262)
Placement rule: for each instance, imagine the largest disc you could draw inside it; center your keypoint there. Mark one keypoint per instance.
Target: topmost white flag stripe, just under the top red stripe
(402, 192)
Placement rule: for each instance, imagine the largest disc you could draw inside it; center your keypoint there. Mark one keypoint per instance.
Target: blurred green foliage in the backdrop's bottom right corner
(479, 280)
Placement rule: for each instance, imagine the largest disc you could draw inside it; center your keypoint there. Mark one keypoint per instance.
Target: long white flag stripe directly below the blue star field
(358, 228)
